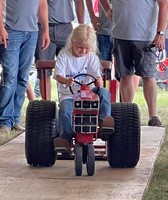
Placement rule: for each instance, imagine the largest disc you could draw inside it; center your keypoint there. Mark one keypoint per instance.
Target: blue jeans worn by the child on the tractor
(66, 109)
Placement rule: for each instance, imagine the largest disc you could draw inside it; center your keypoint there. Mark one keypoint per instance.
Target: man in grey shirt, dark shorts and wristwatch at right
(132, 32)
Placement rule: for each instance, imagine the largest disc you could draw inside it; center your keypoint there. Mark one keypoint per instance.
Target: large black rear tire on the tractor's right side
(123, 147)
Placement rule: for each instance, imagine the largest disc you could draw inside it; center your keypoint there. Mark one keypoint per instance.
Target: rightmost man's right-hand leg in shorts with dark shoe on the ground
(146, 67)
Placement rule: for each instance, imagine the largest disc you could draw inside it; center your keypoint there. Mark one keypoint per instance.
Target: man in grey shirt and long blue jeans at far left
(18, 34)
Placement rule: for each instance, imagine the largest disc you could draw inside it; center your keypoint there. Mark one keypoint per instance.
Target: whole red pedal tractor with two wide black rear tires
(120, 140)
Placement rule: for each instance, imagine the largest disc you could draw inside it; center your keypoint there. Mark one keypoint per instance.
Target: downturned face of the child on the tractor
(80, 49)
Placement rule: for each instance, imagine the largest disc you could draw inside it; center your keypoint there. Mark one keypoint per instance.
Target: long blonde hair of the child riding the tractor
(85, 34)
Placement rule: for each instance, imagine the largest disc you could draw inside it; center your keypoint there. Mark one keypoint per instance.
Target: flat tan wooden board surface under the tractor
(19, 181)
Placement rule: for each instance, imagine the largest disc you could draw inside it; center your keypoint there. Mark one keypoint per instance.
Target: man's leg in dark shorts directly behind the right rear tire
(124, 68)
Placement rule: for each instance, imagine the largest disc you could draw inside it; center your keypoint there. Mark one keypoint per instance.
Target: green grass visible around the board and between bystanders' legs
(158, 188)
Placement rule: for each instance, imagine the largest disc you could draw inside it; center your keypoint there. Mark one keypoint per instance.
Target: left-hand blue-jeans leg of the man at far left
(10, 62)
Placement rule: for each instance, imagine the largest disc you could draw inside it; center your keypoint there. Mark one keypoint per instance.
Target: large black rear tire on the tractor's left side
(39, 148)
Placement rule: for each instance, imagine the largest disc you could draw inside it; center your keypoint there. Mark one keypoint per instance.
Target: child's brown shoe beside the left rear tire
(62, 145)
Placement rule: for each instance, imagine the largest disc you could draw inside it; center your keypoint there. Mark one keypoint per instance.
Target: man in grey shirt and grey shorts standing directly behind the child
(60, 26)
